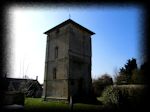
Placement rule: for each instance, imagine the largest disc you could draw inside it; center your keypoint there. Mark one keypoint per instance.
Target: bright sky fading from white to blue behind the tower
(116, 39)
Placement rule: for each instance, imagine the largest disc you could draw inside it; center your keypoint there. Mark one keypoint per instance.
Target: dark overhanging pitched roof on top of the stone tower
(67, 22)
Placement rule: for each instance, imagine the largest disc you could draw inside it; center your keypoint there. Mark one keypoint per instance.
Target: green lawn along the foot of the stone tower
(37, 104)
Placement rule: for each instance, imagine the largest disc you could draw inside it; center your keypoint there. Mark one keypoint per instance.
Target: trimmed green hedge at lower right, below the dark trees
(124, 95)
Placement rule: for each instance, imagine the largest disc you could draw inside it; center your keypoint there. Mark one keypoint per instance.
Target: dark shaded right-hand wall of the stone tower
(79, 61)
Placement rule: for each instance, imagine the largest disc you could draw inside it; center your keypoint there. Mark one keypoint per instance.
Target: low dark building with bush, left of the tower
(31, 87)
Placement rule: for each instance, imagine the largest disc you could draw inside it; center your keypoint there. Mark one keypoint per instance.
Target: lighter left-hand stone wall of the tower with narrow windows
(57, 87)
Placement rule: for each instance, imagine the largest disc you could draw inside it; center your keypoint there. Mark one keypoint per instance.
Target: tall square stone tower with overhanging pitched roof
(68, 61)
